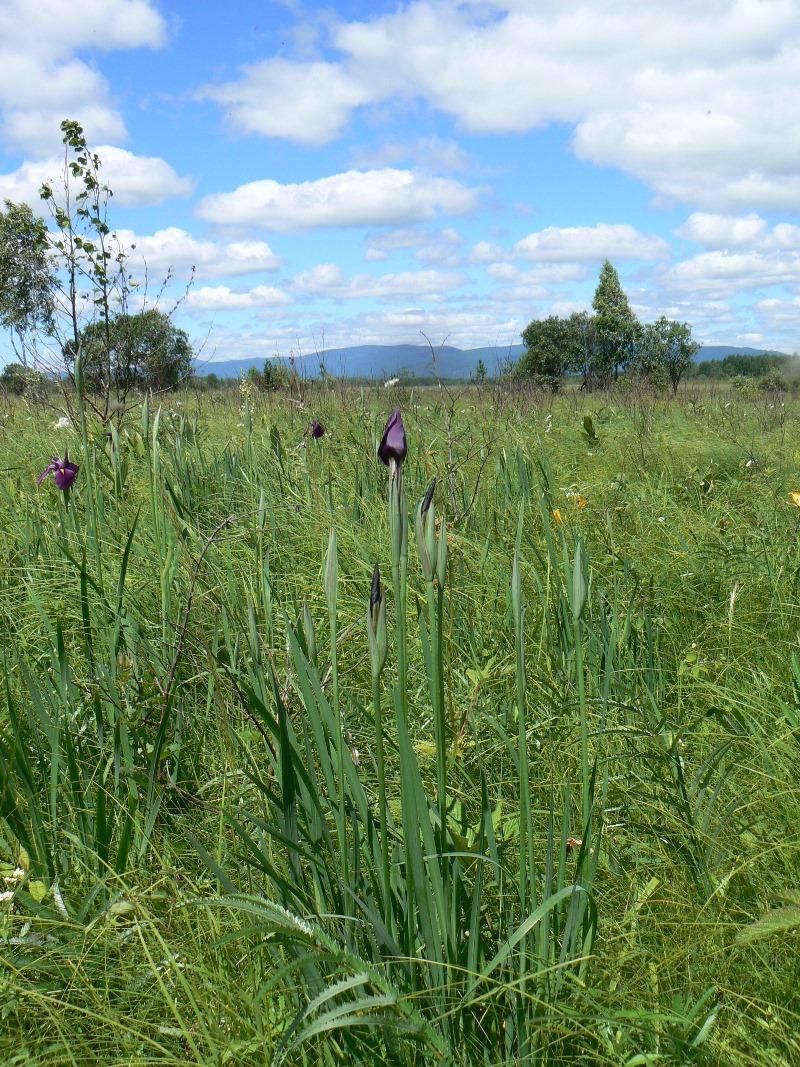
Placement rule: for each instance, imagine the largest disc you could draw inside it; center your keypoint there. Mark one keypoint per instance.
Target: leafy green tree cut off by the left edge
(28, 281)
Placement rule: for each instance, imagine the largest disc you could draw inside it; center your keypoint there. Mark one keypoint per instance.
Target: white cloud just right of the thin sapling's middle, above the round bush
(178, 249)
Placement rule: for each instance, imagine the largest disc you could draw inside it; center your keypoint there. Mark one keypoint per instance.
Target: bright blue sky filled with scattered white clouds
(385, 173)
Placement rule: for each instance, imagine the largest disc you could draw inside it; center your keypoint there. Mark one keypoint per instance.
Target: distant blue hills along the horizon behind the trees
(394, 361)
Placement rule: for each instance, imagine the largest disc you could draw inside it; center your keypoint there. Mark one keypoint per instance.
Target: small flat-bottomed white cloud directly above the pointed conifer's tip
(581, 244)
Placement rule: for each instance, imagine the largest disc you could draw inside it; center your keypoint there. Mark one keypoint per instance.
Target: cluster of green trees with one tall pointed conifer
(599, 347)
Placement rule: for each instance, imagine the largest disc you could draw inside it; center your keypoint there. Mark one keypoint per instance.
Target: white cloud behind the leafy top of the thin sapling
(136, 181)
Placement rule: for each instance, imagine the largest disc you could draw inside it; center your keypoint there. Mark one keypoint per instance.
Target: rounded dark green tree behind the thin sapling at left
(145, 352)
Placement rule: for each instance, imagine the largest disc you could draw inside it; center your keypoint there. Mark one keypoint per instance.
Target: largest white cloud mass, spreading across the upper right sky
(700, 100)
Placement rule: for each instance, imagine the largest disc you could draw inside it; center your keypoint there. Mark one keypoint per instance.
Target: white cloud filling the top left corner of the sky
(42, 79)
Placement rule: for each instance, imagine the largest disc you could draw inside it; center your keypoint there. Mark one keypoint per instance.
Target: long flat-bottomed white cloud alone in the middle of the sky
(354, 199)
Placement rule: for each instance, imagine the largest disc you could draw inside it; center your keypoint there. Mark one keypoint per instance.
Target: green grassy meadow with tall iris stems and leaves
(529, 794)
